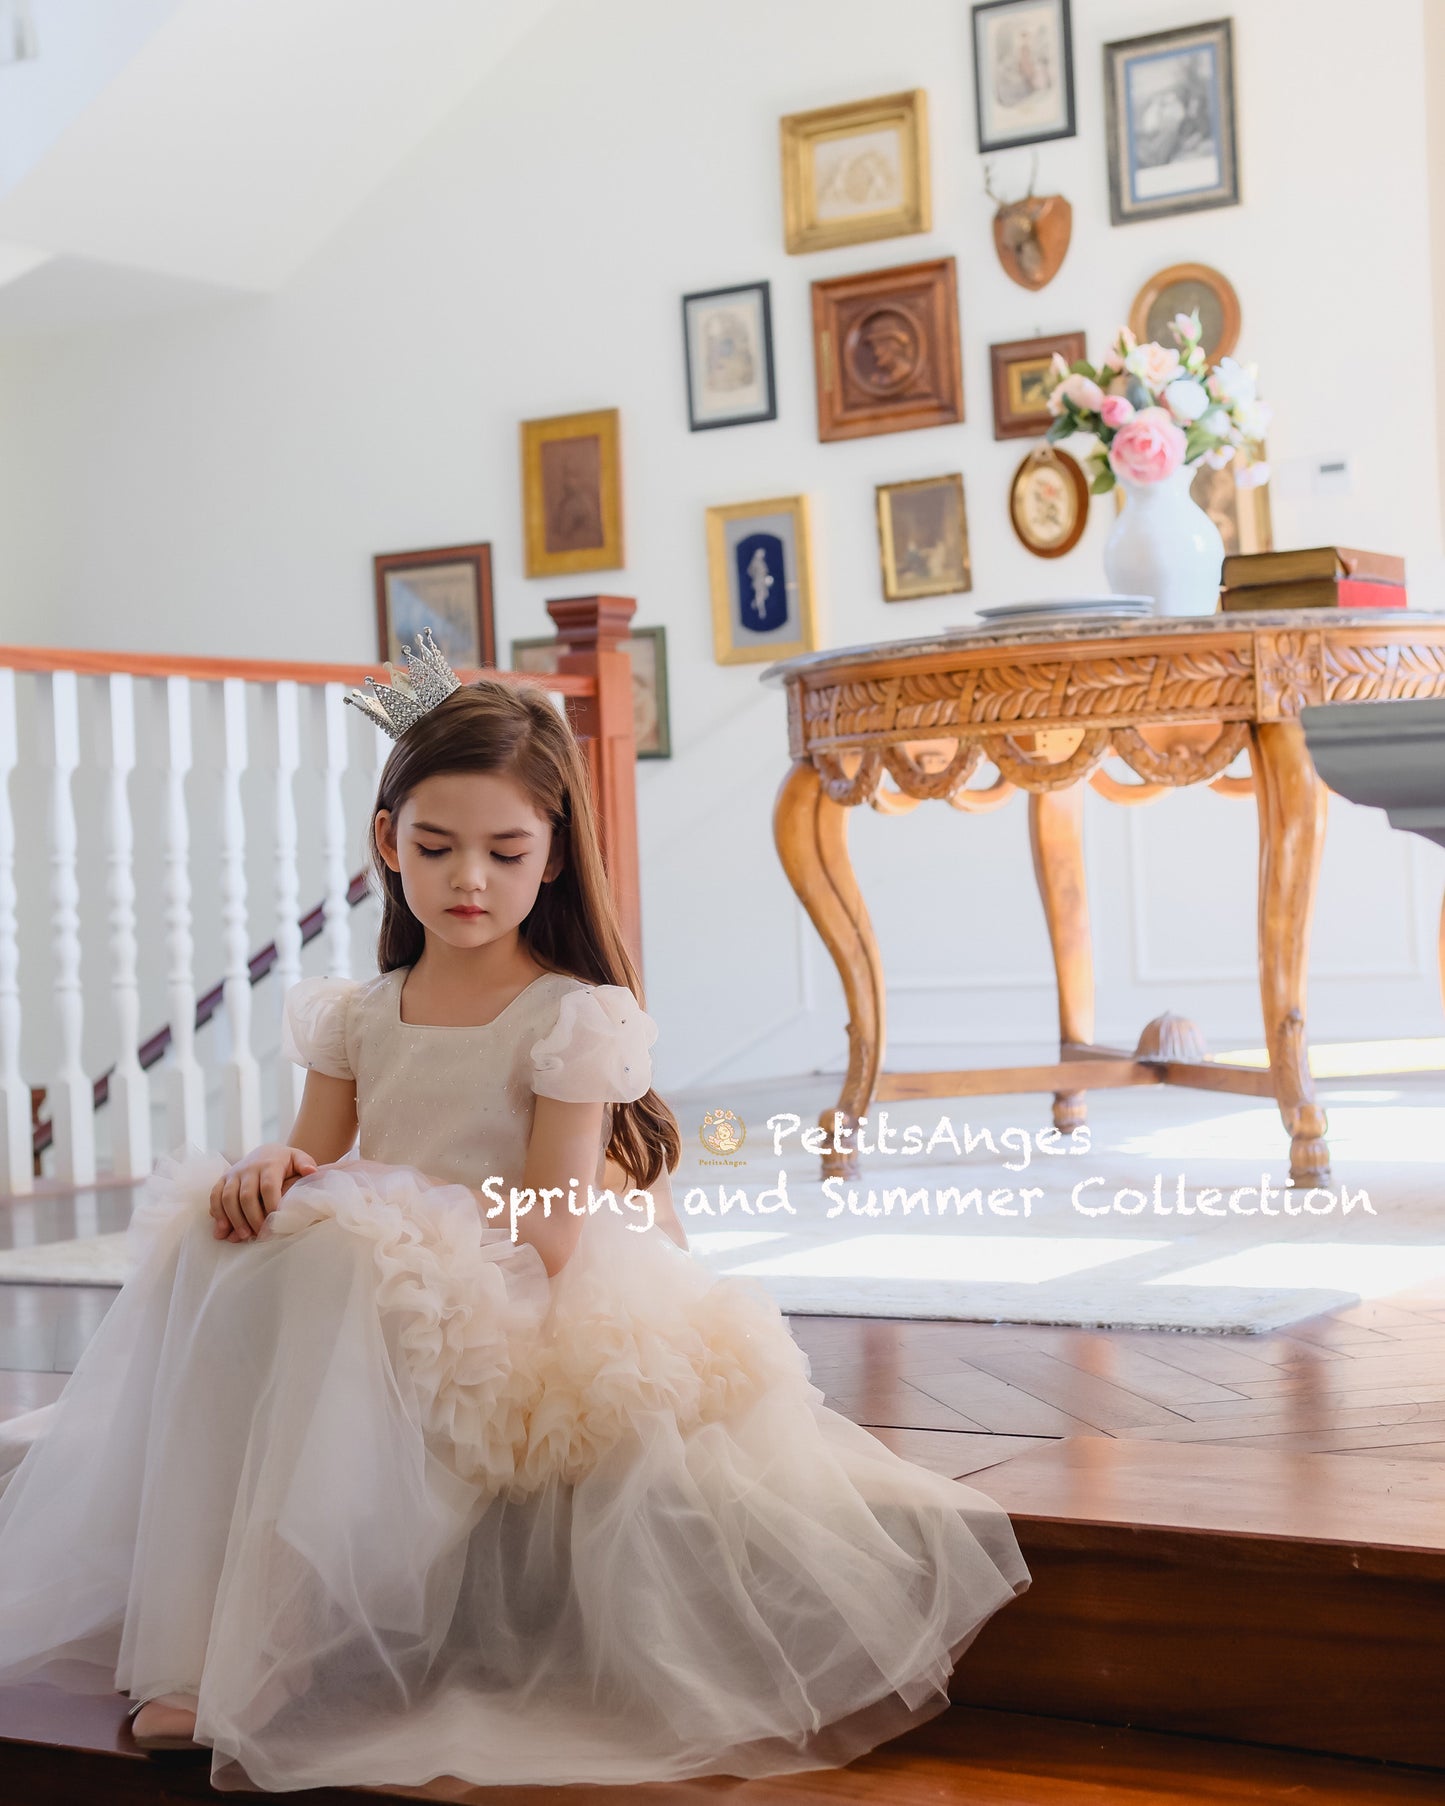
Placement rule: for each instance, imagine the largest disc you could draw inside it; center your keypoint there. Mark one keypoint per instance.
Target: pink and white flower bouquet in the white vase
(1153, 409)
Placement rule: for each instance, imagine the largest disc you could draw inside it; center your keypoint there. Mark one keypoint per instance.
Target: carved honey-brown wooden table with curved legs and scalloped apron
(1177, 702)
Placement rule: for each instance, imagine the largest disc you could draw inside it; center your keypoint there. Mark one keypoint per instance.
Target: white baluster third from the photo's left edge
(129, 1086)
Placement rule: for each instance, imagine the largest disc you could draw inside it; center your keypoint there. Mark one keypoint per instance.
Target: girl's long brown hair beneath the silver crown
(573, 926)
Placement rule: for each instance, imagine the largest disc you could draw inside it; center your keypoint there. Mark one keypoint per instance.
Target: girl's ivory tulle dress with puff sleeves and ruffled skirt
(396, 1505)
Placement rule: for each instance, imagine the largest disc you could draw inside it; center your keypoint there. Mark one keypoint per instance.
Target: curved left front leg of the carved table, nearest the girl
(810, 832)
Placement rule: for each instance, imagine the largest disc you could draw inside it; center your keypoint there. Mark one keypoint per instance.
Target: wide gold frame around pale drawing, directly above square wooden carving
(805, 135)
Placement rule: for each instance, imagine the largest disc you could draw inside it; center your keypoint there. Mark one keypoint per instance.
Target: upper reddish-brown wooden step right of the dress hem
(1215, 1592)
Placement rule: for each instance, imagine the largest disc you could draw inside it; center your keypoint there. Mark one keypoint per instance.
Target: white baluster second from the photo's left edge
(73, 1104)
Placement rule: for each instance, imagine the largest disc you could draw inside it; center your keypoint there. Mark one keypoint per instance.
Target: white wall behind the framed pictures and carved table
(219, 481)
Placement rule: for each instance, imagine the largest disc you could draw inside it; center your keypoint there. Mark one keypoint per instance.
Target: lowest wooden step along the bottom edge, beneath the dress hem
(59, 1749)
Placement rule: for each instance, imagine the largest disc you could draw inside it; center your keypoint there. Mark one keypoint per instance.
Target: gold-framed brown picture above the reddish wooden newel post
(572, 494)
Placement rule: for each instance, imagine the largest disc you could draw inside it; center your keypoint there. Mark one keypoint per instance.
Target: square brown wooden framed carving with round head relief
(886, 349)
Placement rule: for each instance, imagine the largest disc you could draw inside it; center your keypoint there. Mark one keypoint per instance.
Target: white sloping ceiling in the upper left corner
(218, 142)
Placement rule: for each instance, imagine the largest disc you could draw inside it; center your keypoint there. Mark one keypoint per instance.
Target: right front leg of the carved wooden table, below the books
(1291, 844)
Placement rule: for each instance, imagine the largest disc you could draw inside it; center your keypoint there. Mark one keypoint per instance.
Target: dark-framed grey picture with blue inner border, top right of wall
(1170, 104)
